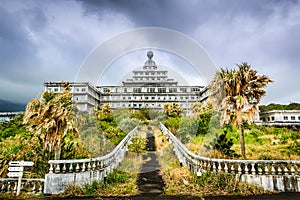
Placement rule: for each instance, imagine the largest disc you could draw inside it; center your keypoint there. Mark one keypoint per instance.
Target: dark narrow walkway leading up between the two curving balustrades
(149, 180)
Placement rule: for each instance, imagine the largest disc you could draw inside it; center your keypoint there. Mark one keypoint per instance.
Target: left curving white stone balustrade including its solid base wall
(82, 171)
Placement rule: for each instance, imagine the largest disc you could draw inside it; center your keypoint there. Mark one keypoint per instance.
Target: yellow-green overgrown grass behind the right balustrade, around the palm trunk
(281, 143)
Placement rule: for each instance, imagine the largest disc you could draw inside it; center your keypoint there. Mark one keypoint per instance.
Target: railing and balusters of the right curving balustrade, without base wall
(199, 164)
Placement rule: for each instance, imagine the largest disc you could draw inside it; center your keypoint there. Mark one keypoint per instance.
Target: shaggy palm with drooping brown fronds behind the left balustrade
(51, 115)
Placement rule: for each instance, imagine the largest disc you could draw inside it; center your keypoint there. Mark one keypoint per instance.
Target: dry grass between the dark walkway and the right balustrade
(180, 181)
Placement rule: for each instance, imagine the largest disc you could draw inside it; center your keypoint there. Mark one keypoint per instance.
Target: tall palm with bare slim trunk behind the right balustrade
(237, 91)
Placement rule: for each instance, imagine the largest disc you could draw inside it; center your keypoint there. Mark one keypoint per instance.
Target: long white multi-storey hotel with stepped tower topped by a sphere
(149, 87)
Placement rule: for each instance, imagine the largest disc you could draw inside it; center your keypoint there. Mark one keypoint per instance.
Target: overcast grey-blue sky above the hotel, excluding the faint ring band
(49, 40)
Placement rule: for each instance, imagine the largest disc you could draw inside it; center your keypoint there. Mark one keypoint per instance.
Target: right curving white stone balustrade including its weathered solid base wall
(282, 175)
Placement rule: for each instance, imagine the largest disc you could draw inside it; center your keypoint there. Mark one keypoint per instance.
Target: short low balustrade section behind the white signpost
(29, 186)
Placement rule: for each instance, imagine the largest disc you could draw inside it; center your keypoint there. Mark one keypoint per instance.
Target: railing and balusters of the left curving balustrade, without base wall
(107, 162)
